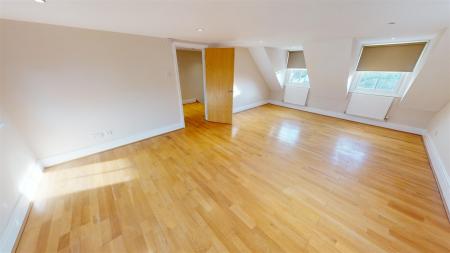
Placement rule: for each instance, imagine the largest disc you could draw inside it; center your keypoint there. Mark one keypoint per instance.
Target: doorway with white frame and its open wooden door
(213, 99)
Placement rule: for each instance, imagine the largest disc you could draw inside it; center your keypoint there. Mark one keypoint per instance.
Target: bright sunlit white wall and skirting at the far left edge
(18, 180)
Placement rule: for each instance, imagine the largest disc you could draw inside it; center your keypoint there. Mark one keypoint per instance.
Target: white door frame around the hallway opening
(187, 45)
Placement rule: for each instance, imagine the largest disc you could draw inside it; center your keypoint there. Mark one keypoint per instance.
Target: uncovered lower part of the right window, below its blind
(378, 82)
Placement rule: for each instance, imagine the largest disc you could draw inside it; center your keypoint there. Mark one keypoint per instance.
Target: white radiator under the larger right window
(369, 106)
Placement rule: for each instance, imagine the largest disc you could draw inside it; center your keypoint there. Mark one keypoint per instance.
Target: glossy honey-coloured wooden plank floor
(278, 180)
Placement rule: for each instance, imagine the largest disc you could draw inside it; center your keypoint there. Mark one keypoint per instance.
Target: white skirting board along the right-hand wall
(439, 170)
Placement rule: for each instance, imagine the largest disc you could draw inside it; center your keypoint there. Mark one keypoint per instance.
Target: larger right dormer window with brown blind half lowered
(385, 69)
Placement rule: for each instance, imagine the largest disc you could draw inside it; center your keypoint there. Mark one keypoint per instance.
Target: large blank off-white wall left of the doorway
(67, 85)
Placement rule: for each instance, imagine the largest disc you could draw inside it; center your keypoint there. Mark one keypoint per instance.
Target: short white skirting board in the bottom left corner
(11, 233)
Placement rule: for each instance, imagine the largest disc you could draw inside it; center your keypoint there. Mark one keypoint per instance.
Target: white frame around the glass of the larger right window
(396, 93)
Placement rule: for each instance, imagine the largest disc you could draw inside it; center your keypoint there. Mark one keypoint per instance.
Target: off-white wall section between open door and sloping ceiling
(249, 85)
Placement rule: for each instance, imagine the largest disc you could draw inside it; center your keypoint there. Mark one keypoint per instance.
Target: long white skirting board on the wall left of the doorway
(57, 159)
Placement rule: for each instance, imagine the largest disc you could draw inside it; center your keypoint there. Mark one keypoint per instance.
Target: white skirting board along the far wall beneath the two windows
(394, 126)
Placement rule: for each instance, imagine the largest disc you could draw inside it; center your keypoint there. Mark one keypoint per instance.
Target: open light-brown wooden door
(219, 65)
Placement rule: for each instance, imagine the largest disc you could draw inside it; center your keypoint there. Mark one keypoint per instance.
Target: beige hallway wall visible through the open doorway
(190, 69)
